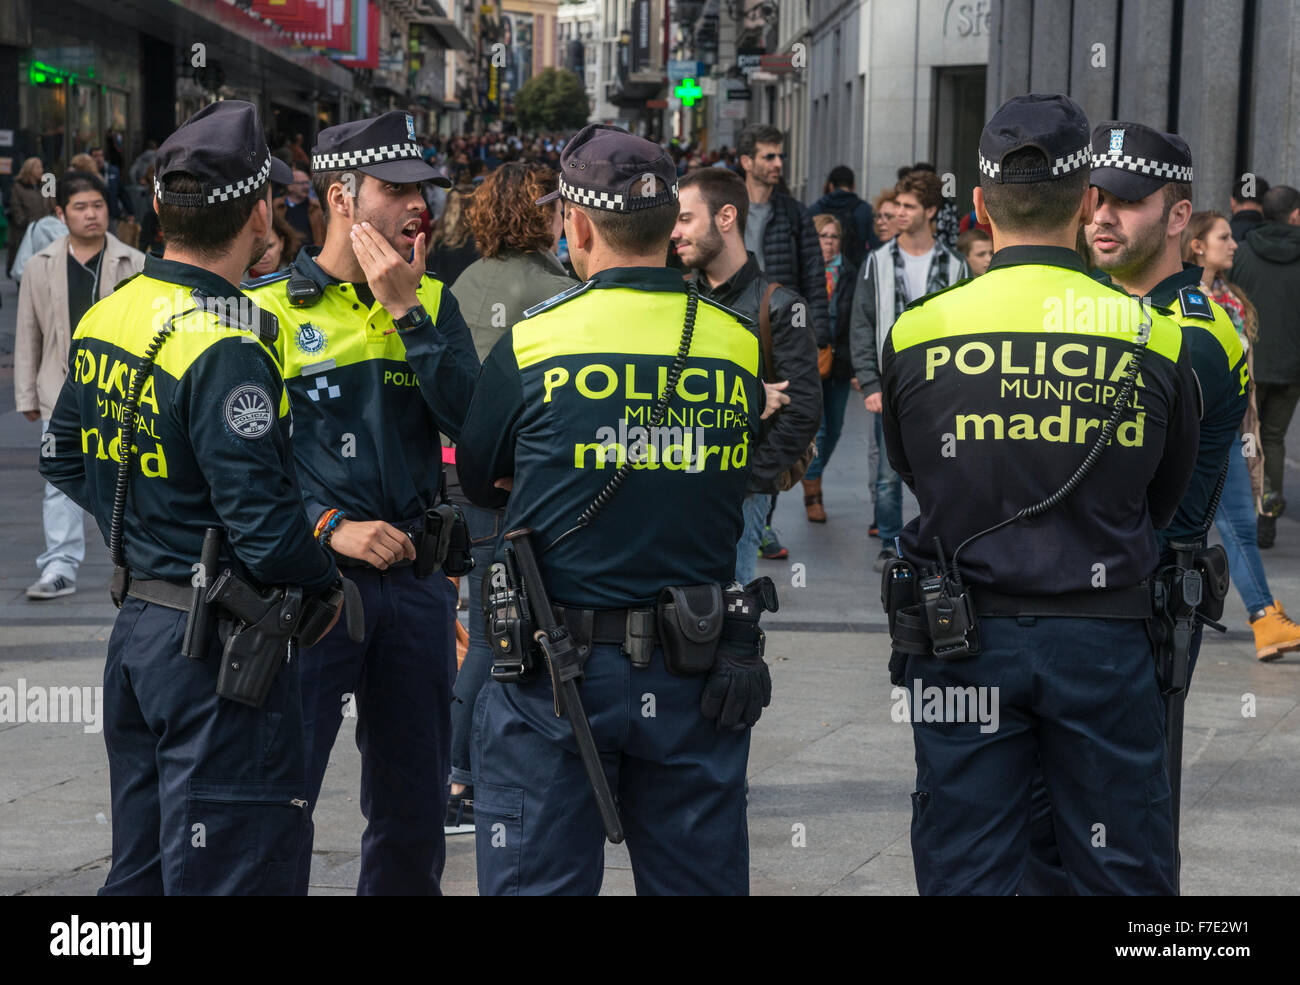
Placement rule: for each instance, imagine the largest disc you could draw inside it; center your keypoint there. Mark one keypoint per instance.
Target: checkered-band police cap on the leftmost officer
(224, 149)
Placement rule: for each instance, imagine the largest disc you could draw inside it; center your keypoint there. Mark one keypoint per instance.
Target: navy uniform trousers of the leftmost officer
(209, 795)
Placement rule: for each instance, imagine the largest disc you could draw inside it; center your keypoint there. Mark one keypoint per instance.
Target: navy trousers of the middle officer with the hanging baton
(679, 783)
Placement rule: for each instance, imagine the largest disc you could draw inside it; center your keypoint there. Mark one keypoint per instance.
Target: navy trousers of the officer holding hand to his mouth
(398, 684)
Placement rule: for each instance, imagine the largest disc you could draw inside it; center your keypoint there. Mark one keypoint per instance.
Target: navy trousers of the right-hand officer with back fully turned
(1077, 698)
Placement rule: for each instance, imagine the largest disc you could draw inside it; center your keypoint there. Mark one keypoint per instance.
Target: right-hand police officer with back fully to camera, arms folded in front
(995, 392)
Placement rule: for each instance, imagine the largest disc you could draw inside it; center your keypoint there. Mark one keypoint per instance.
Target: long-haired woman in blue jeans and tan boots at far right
(1210, 245)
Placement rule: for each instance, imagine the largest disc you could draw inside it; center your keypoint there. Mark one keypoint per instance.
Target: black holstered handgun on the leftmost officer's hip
(265, 624)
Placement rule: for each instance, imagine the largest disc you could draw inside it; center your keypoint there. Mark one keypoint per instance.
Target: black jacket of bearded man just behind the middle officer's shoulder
(790, 431)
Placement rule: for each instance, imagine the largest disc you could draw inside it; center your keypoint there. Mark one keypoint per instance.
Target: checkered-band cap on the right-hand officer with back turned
(1055, 125)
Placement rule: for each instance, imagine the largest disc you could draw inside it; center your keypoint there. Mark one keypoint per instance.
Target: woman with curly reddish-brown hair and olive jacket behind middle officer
(518, 270)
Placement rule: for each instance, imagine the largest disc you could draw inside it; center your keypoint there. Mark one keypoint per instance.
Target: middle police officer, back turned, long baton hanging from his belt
(566, 401)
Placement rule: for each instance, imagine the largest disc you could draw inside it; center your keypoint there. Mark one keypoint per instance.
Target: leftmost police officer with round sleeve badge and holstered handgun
(209, 793)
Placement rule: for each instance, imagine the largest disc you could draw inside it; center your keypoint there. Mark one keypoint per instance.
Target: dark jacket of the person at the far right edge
(1267, 268)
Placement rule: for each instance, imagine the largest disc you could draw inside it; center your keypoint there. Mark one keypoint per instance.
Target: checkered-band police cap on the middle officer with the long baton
(608, 168)
